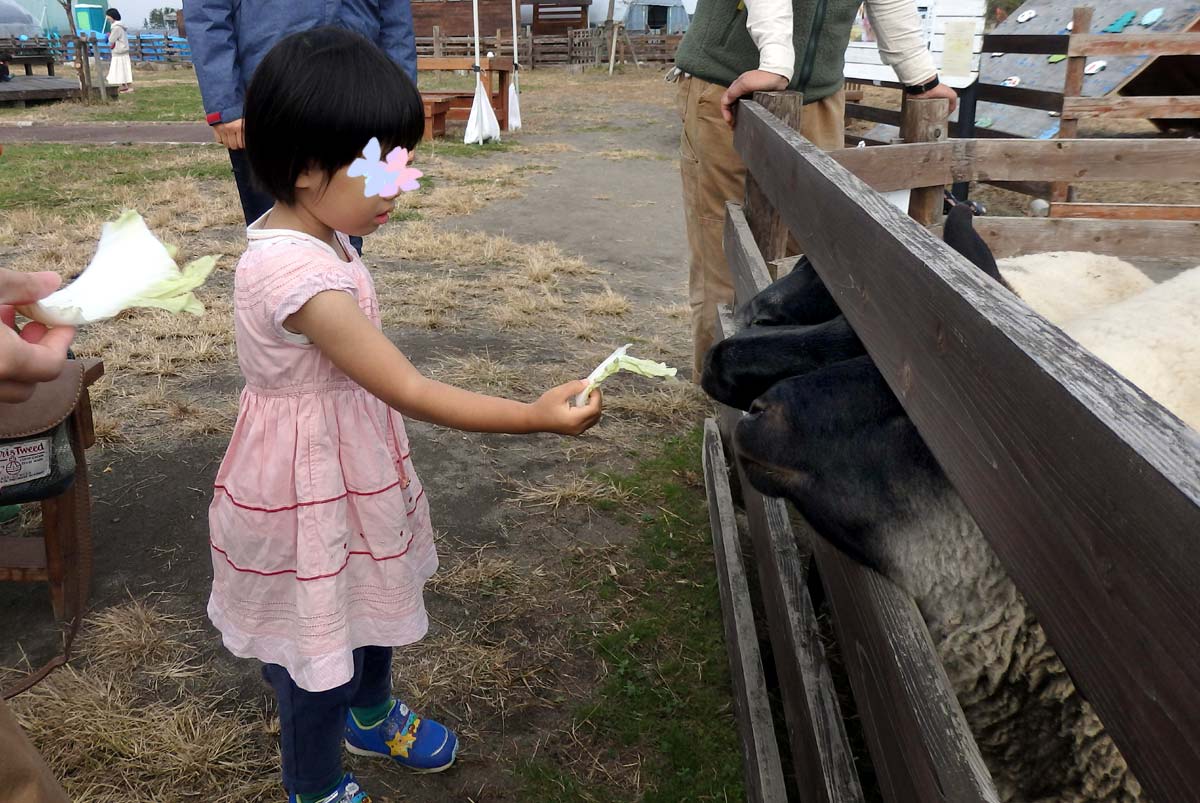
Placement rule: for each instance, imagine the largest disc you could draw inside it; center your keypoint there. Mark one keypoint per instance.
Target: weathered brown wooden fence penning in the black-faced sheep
(1089, 494)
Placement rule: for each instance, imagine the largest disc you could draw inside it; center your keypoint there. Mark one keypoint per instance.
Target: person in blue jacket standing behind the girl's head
(230, 38)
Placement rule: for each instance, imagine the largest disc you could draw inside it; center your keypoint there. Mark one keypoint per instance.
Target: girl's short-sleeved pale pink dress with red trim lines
(320, 528)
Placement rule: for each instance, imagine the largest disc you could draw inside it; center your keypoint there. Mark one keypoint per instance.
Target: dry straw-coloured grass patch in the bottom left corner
(111, 732)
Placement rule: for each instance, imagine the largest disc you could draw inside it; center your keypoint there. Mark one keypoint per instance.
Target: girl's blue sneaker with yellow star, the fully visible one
(416, 744)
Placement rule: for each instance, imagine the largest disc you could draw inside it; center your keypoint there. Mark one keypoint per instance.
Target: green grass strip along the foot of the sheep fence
(668, 692)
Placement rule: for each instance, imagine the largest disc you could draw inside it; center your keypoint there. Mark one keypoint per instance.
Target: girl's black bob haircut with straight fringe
(316, 101)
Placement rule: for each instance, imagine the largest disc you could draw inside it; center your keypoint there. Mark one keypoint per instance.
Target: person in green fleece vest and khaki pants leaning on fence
(737, 47)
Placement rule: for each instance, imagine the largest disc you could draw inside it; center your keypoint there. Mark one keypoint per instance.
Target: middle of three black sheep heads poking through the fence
(743, 368)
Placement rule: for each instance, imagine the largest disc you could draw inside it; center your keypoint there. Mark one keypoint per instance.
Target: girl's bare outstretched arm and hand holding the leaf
(337, 326)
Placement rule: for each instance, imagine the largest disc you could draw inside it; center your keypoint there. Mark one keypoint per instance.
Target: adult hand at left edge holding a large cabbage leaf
(37, 355)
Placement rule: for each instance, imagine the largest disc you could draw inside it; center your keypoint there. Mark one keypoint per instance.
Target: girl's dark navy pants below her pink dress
(313, 724)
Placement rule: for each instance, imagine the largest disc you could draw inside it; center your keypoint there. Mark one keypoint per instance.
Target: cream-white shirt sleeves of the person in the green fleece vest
(897, 29)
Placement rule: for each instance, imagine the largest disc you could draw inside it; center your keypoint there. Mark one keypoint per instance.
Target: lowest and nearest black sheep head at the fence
(838, 445)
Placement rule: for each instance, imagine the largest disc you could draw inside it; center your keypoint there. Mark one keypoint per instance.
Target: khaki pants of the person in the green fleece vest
(715, 175)
